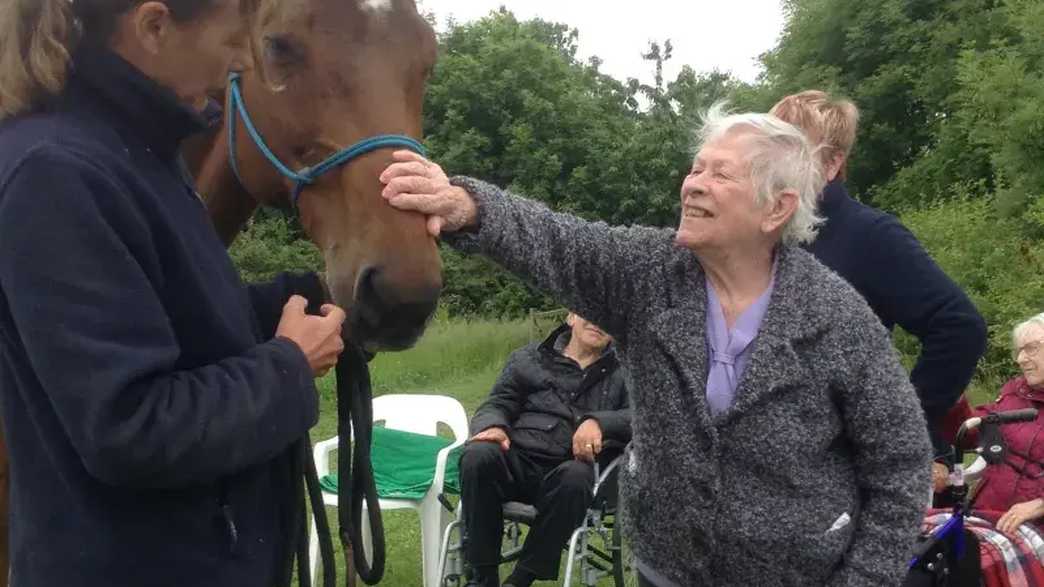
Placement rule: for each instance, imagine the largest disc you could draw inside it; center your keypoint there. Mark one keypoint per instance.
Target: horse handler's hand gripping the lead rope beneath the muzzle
(319, 337)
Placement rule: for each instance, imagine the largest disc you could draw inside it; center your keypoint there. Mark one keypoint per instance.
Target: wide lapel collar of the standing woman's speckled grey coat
(795, 315)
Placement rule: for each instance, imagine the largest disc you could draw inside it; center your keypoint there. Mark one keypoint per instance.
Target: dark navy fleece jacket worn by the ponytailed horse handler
(147, 407)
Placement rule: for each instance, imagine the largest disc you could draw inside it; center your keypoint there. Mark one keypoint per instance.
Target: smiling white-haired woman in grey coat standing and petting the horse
(777, 439)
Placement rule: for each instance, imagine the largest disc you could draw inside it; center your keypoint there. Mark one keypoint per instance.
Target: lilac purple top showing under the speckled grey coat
(729, 351)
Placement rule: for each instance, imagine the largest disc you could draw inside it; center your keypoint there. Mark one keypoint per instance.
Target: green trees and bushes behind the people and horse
(952, 138)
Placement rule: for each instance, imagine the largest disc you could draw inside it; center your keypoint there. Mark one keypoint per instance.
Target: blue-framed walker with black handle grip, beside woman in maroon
(950, 555)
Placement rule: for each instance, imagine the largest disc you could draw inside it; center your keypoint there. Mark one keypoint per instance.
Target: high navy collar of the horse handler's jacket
(137, 105)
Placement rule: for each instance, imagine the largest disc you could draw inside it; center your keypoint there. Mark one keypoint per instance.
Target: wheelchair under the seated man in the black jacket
(597, 553)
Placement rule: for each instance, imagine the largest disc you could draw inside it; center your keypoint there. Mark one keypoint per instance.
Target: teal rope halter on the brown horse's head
(307, 176)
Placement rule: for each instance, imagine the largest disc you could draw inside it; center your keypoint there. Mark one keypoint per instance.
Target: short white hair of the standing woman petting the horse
(781, 158)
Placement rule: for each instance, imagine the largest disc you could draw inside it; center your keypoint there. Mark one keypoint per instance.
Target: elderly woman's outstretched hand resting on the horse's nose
(414, 183)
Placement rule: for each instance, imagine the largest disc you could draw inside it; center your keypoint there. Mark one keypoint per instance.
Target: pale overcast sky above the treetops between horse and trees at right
(727, 35)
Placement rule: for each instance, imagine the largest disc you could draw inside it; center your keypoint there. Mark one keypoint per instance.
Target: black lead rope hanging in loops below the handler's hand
(355, 483)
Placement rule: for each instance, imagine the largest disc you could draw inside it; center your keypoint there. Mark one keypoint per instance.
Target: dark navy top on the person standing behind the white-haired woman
(905, 287)
